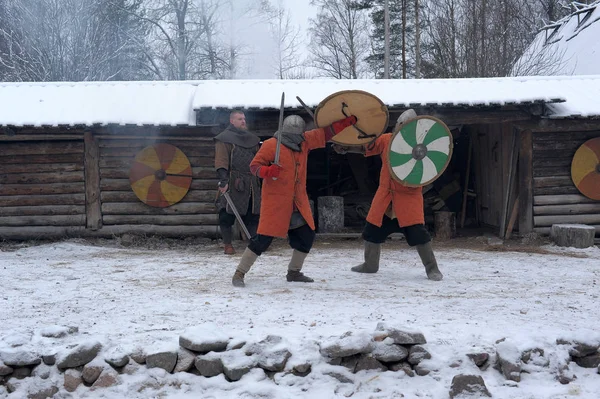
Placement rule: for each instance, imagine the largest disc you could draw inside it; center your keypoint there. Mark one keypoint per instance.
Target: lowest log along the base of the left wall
(58, 232)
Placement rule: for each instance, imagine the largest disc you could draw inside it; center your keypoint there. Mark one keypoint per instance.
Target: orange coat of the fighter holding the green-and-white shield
(407, 202)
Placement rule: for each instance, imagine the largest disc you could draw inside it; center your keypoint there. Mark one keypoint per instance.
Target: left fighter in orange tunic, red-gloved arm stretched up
(285, 210)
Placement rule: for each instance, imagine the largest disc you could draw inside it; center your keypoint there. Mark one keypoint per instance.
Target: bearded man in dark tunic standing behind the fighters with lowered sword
(235, 147)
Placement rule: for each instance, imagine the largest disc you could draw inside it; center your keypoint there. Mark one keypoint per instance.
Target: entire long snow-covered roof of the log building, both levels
(173, 103)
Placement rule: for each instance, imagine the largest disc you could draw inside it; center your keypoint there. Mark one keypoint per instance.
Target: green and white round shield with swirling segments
(420, 151)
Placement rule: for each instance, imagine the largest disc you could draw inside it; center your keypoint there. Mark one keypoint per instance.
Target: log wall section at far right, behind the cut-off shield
(556, 200)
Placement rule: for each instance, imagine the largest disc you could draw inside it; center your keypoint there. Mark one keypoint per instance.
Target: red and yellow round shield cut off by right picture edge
(585, 169)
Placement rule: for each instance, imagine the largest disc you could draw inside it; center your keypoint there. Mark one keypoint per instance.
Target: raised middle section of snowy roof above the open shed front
(401, 93)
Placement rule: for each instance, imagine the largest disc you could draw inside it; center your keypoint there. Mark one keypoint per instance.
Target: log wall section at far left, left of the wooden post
(42, 185)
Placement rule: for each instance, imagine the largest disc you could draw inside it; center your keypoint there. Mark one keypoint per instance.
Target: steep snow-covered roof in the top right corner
(569, 46)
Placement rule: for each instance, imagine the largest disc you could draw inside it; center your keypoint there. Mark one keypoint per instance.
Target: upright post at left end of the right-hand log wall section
(526, 182)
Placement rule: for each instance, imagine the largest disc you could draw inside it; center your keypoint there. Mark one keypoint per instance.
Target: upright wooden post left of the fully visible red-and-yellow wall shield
(93, 209)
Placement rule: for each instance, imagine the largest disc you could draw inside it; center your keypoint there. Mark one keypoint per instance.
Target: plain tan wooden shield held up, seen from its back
(371, 114)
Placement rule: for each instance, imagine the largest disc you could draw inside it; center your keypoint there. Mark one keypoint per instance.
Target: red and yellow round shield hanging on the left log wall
(161, 175)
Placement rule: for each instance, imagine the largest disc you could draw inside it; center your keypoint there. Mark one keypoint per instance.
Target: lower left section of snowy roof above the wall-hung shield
(89, 103)
